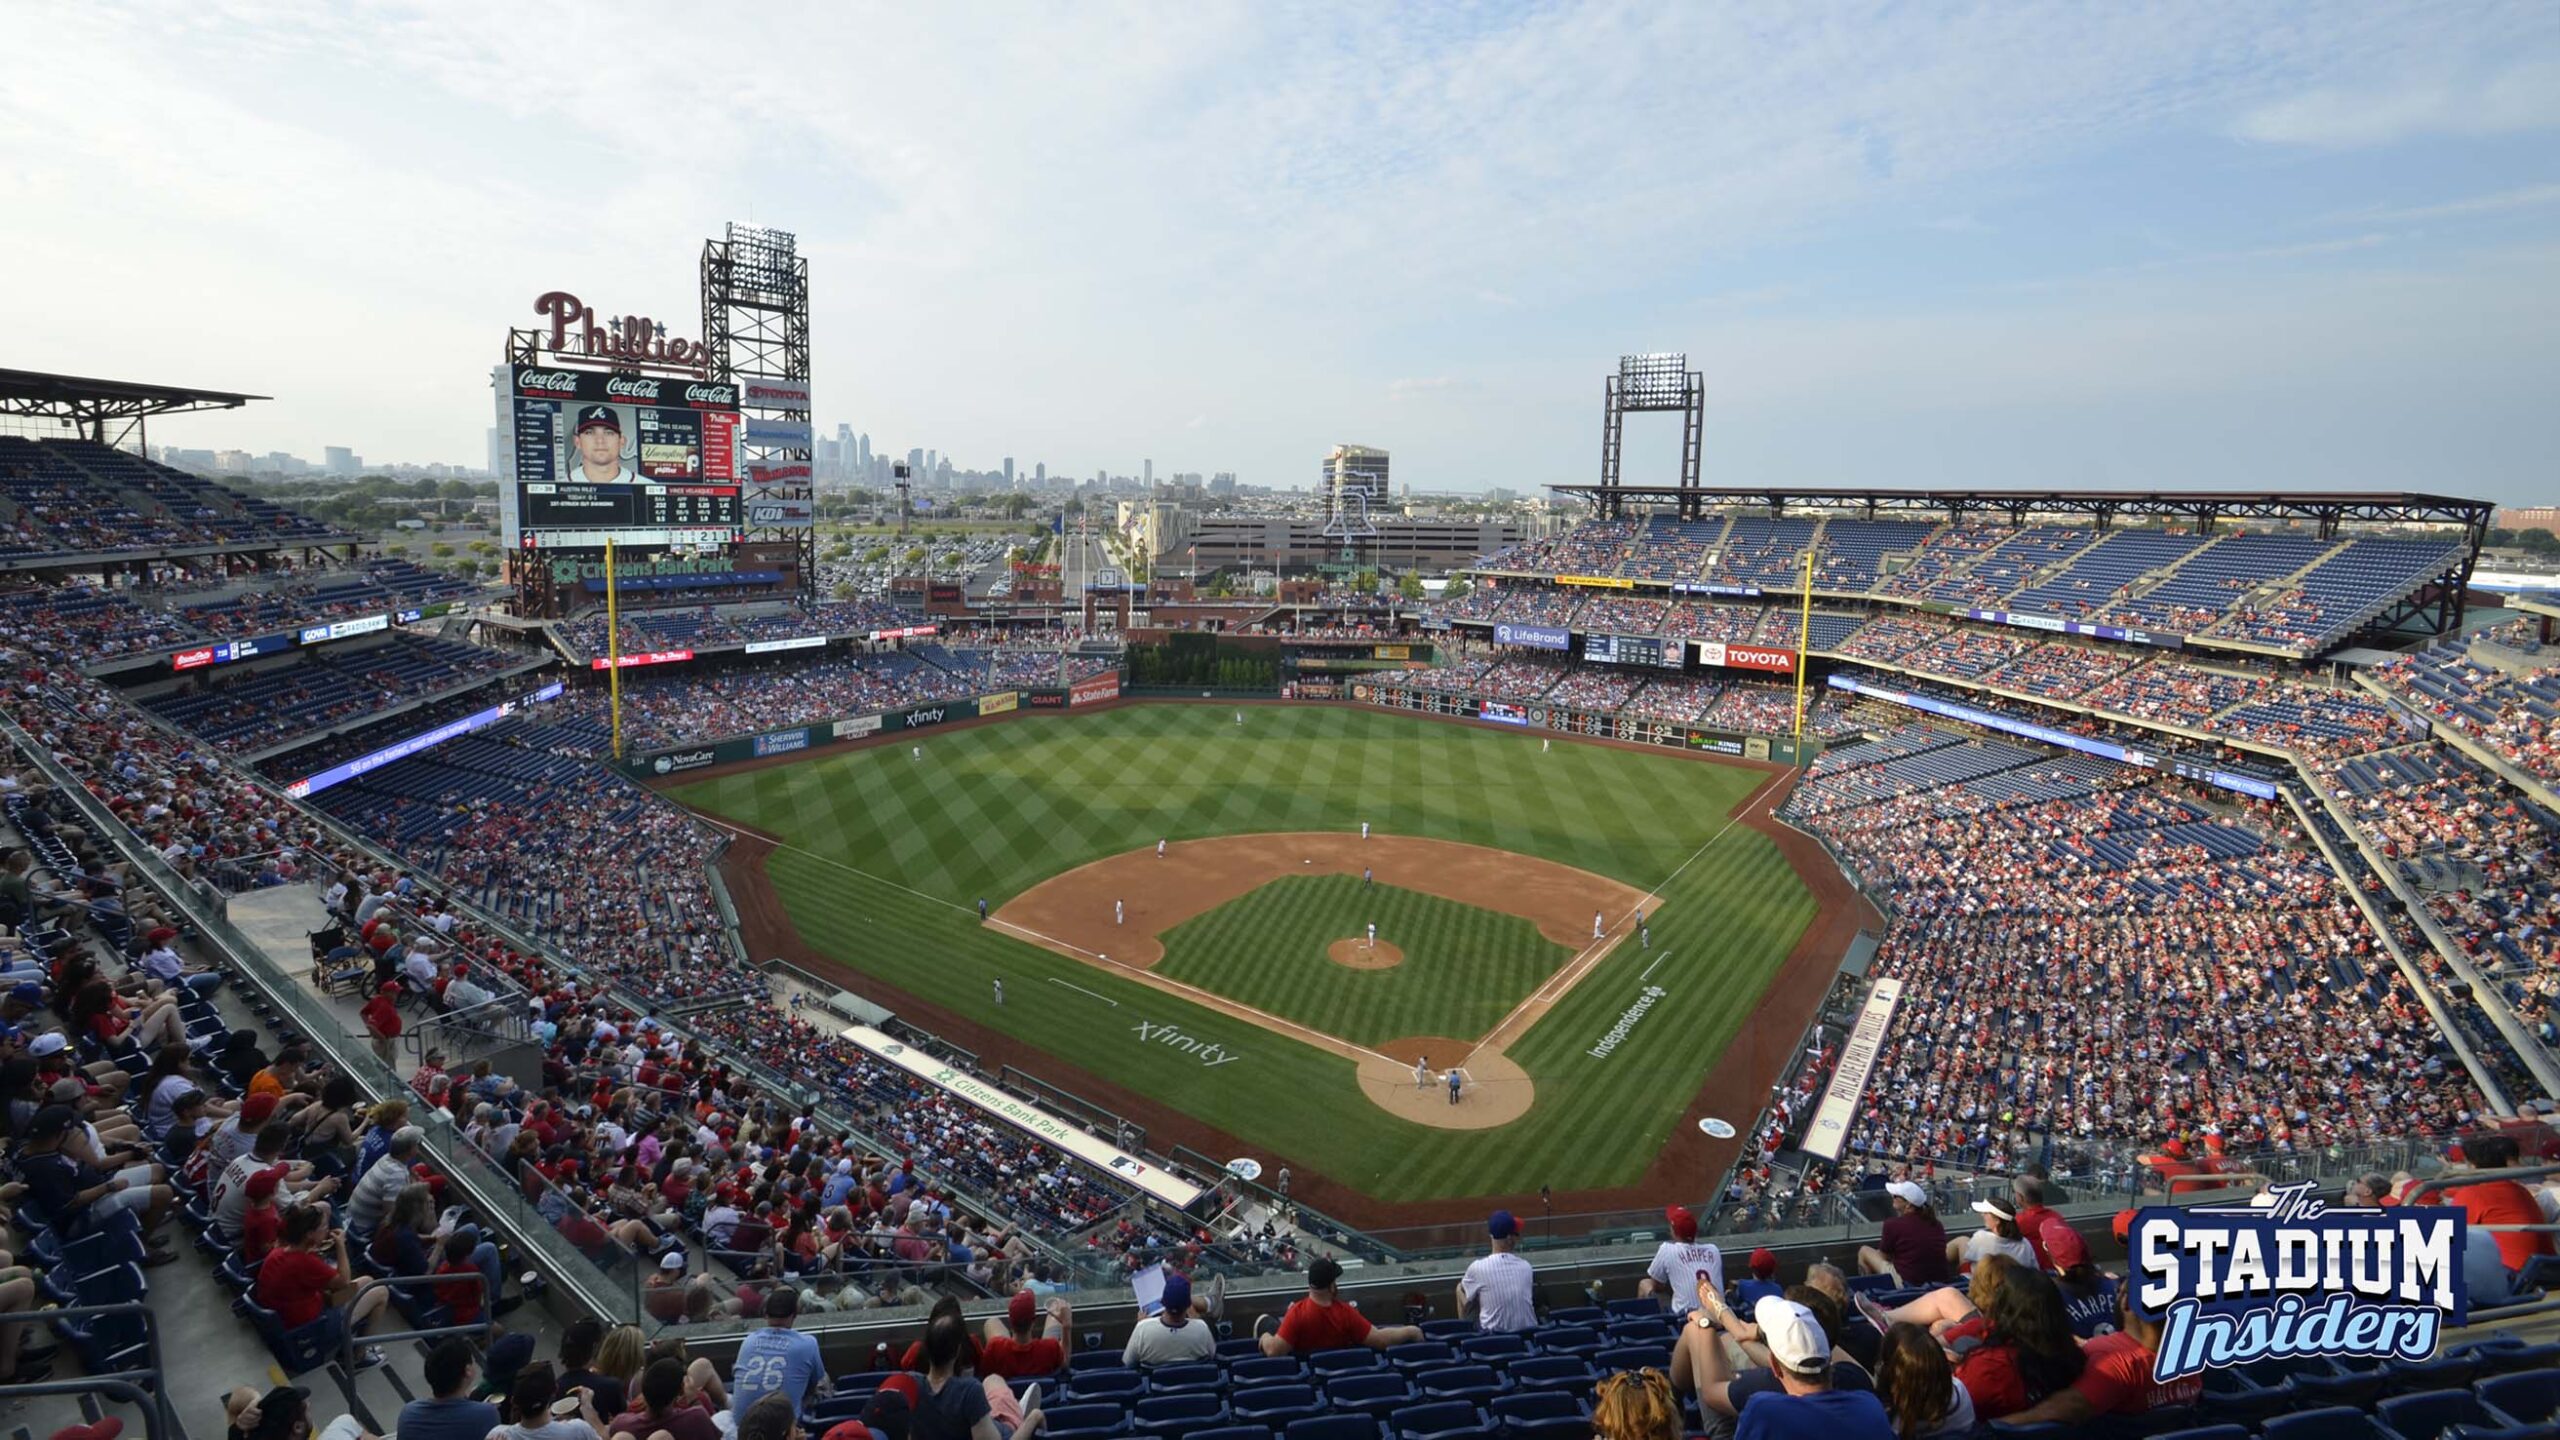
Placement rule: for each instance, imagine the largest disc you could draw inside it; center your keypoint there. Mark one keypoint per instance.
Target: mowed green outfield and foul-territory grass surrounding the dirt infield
(887, 860)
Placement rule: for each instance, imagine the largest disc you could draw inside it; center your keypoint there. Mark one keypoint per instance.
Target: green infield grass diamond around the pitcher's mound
(1466, 970)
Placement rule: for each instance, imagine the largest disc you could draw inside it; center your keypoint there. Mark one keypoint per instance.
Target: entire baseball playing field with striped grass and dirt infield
(1230, 988)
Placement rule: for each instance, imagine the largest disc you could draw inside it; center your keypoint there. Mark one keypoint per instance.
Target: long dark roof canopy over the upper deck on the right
(2323, 509)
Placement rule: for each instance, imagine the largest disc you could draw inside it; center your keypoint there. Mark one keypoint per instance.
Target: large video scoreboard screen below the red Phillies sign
(636, 460)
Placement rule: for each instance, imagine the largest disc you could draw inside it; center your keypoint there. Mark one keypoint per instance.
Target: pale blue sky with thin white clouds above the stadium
(2175, 247)
